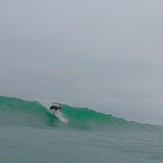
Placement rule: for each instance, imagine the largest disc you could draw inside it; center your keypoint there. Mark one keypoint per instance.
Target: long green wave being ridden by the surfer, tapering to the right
(17, 112)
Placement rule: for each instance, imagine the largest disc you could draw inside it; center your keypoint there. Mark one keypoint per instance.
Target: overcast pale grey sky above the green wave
(103, 54)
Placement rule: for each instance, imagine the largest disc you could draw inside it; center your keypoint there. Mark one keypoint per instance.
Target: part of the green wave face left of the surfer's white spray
(18, 112)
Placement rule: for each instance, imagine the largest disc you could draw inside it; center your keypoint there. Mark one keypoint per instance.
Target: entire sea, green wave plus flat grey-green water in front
(29, 133)
